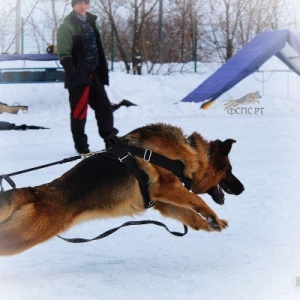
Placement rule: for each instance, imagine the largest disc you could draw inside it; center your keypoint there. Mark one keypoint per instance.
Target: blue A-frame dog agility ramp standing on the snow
(282, 43)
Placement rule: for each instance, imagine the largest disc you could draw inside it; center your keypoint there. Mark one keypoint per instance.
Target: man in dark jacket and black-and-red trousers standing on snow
(80, 52)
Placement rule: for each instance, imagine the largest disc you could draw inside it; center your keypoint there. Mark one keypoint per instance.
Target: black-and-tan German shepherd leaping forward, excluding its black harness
(99, 187)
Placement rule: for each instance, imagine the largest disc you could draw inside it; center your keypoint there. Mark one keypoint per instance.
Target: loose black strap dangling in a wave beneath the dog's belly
(130, 223)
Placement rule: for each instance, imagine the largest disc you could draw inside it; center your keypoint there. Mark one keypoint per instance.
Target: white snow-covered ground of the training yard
(257, 257)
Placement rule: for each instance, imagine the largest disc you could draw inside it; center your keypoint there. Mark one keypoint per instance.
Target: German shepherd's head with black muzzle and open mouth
(216, 178)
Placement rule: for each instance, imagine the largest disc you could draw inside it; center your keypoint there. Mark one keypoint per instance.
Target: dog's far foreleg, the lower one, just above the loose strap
(185, 216)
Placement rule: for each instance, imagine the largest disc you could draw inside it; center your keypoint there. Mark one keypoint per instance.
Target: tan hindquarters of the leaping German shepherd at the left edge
(29, 217)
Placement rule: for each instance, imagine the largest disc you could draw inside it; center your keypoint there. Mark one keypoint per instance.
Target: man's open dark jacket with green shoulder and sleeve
(70, 51)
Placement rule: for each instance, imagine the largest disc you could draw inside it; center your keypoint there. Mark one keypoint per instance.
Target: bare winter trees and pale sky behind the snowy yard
(152, 32)
